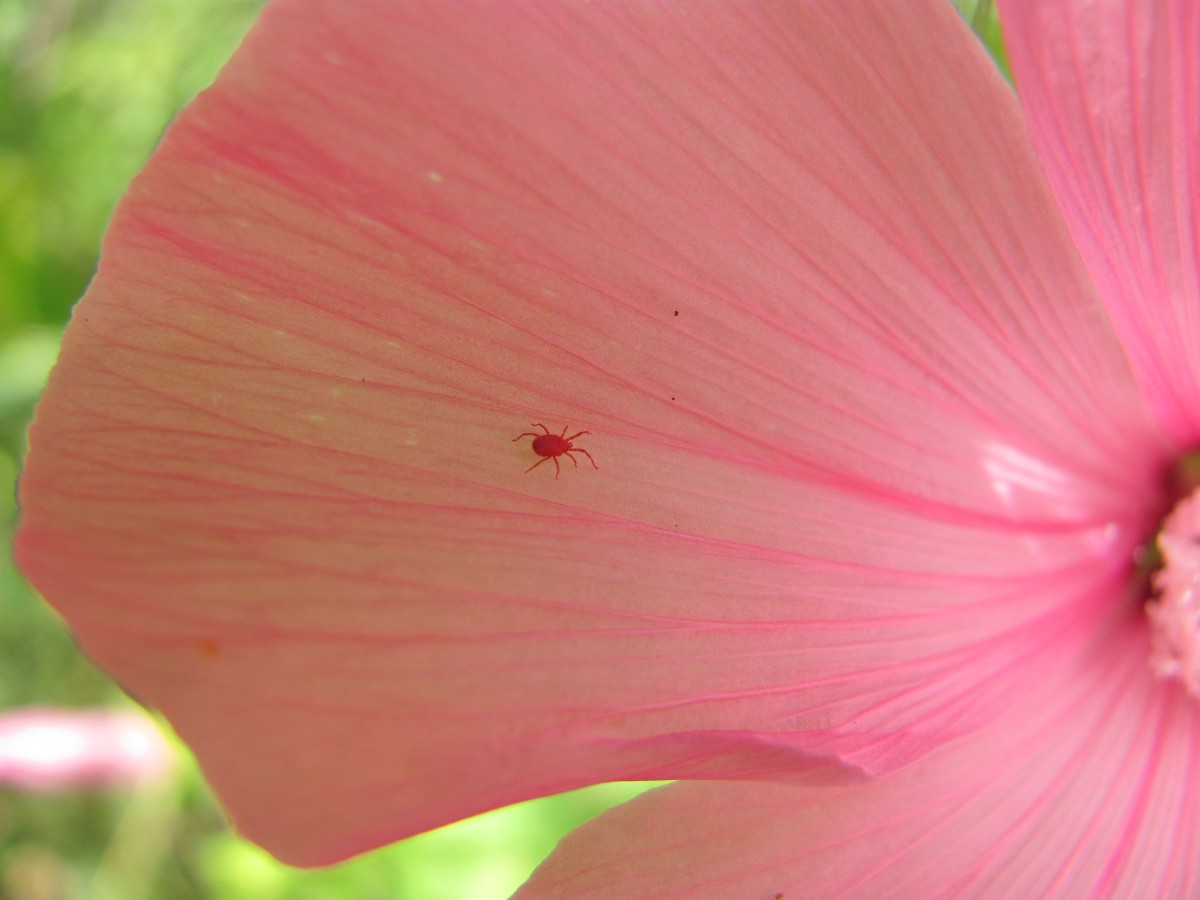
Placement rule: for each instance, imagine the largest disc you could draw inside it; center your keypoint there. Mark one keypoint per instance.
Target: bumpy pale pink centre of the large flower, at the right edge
(1174, 610)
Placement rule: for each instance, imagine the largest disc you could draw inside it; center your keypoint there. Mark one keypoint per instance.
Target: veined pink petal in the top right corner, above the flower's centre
(1113, 94)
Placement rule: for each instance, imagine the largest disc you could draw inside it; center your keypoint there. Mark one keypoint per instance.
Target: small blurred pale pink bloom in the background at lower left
(47, 749)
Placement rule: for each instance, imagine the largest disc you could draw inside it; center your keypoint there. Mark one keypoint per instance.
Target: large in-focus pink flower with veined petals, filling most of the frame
(883, 382)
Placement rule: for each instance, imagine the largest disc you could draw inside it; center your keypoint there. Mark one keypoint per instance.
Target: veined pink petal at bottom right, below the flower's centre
(1089, 790)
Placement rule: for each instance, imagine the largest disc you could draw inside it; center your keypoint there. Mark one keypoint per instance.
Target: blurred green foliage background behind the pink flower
(86, 89)
